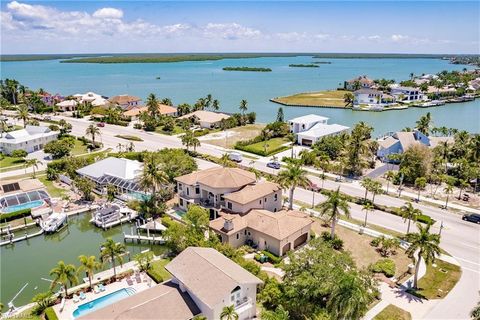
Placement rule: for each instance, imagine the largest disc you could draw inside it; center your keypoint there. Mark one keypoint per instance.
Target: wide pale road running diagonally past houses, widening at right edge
(459, 238)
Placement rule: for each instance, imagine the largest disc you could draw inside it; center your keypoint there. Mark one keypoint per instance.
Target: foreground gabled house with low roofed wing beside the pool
(203, 282)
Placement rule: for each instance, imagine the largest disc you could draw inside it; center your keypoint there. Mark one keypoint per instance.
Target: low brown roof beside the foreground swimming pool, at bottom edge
(164, 302)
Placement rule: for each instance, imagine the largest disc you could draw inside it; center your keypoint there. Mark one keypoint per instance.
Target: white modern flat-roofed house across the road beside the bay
(311, 128)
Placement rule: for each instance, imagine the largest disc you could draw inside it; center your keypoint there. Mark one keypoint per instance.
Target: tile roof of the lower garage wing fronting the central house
(278, 225)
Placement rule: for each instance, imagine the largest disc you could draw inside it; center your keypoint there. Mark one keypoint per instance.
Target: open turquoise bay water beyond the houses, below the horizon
(187, 81)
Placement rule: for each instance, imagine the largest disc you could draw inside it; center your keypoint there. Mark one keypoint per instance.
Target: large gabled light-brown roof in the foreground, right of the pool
(208, 274)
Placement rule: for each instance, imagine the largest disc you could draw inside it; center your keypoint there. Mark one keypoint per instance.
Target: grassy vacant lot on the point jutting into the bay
(329, 98)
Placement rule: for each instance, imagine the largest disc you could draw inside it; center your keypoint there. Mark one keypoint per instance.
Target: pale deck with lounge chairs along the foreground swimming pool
(70, 306)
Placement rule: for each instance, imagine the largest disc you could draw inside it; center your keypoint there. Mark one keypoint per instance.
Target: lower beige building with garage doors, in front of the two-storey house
(277, 232)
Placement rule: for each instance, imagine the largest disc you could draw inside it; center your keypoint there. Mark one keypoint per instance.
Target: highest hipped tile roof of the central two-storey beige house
(219, 178)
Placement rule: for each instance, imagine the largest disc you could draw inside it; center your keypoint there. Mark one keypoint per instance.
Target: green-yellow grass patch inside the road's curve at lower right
(438, 281)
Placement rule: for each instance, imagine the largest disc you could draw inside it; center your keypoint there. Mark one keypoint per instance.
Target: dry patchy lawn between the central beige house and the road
(362, 252)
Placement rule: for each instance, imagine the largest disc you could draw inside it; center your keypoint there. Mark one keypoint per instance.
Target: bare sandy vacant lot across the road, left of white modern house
(241, 133)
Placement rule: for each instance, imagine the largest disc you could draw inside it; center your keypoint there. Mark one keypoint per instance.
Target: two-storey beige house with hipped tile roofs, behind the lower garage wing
(231, 189)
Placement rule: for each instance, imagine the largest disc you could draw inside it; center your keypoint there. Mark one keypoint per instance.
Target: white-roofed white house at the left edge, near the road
(30, 139)
